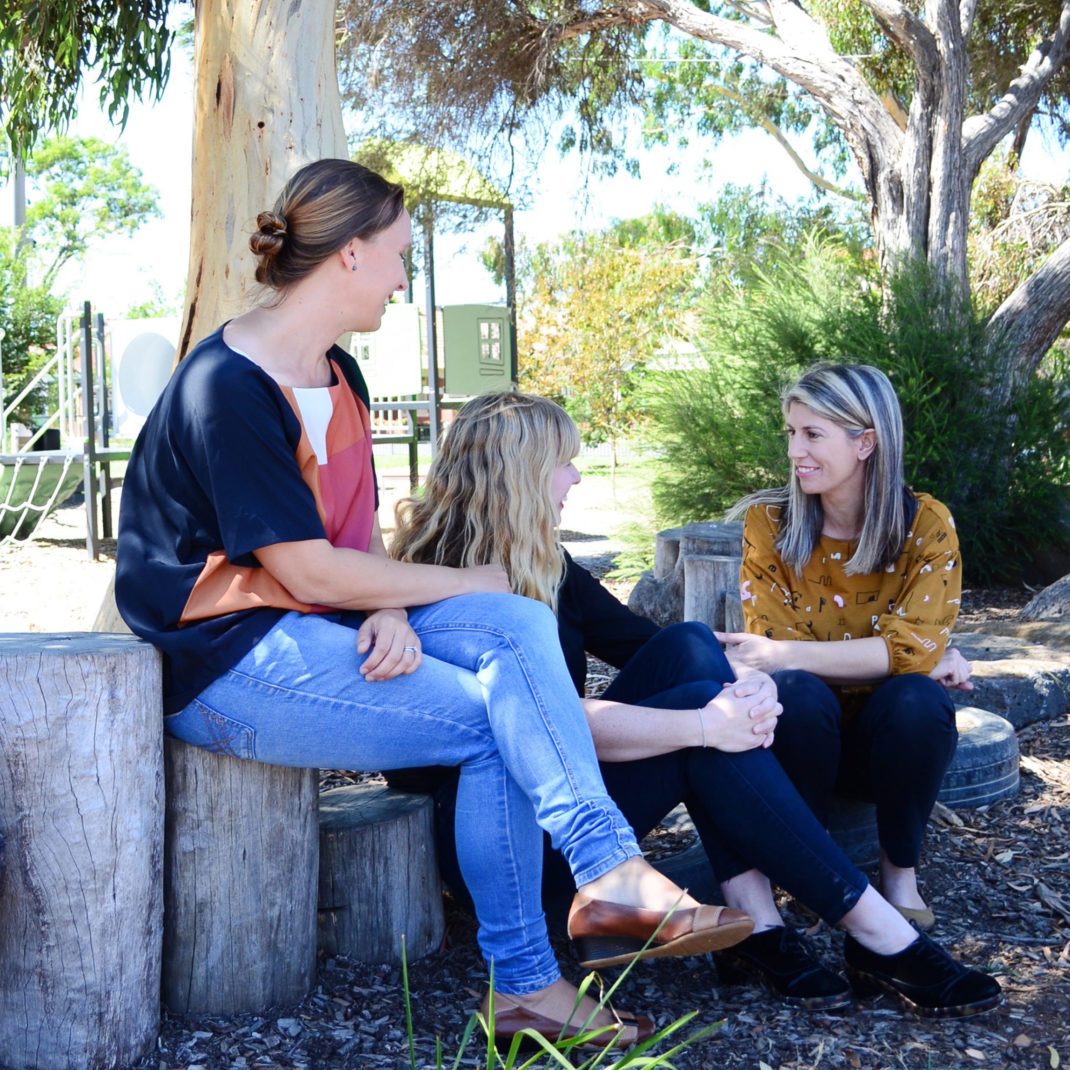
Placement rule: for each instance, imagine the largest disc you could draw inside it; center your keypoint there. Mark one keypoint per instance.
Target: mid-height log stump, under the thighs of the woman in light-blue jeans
(239, 883)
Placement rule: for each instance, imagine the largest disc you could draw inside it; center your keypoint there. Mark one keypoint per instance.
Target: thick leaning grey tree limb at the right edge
(1032, 318)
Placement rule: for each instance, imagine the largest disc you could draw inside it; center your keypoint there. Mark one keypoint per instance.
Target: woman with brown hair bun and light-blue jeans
(251, 555)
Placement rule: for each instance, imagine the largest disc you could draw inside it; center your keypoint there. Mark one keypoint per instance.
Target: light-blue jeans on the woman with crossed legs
(493, 697)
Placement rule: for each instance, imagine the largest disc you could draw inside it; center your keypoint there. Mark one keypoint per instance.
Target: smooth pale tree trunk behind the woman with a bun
(268, 102)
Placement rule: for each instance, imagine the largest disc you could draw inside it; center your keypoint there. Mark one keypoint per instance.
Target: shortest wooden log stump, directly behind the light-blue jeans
(379, 877)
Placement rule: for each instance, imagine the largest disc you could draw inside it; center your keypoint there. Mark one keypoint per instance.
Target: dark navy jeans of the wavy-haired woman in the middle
(745, 808)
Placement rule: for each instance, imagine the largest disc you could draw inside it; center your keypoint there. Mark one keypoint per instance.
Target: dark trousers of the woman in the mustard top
(894, 752)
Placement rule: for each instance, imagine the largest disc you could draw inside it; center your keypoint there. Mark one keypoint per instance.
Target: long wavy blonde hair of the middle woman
(487, 499)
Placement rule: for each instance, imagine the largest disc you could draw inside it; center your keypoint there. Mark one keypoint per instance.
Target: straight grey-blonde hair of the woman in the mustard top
(858, 398)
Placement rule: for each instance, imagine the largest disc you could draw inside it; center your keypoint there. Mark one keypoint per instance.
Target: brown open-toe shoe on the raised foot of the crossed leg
(610, 935)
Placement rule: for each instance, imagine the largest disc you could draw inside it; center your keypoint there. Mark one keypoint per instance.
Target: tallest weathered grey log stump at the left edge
(83, 812)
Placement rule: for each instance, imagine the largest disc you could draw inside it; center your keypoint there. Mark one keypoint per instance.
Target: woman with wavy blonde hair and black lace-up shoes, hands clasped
(675, 726)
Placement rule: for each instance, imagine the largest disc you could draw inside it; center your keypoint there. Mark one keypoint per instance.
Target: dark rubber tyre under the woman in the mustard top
(985, 770)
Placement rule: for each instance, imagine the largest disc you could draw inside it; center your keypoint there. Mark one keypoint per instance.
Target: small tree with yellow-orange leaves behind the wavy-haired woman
(595, 310)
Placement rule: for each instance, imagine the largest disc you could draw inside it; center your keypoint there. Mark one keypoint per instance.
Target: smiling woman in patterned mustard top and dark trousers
(851, 586)
